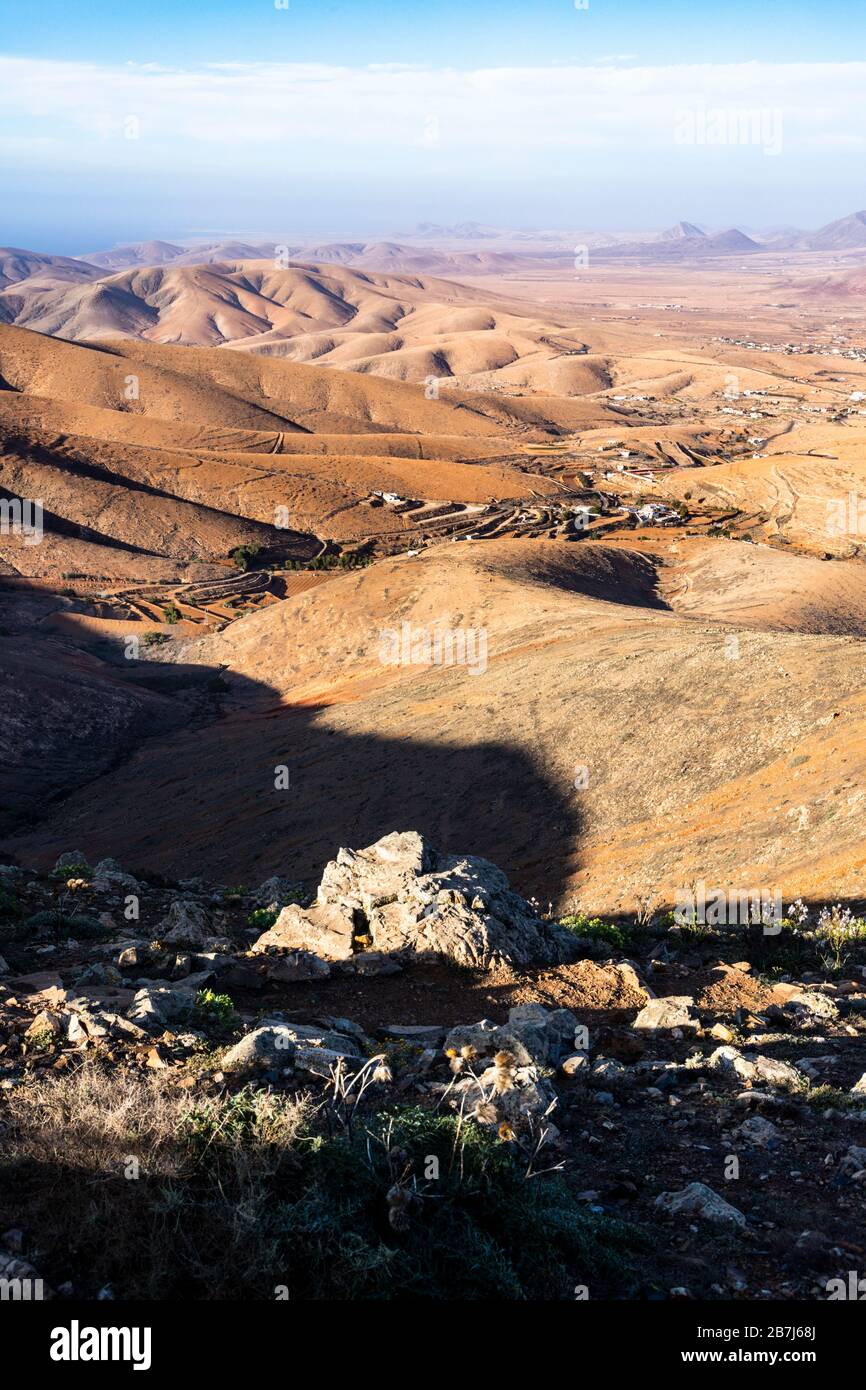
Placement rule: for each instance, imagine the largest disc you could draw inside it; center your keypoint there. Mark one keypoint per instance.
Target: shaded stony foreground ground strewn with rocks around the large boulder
(698, 1086)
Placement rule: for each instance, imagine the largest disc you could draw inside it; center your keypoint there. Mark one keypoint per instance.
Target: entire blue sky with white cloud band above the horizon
(352, 119)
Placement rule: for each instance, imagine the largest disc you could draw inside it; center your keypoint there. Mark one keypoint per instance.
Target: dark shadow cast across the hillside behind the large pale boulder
(156, 767)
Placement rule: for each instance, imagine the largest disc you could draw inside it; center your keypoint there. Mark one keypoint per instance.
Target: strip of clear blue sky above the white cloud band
(459, 33)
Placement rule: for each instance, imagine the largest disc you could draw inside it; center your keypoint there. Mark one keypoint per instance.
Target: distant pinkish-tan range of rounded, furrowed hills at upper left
(408, 327)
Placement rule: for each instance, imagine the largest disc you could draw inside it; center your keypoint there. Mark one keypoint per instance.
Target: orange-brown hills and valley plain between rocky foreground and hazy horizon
(712, 690)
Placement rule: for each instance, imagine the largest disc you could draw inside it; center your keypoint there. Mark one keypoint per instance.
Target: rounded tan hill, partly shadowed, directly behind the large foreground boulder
(640, 697)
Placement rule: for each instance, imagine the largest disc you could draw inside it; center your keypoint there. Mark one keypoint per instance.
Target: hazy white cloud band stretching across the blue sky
(293, 117)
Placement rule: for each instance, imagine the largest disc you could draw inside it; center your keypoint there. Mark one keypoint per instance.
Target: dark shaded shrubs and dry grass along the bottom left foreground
(247, 1196)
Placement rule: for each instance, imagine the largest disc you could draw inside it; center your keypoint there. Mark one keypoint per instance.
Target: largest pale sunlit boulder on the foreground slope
(401, 896)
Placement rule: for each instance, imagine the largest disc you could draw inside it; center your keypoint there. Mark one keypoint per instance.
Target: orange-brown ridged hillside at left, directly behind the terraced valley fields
(218, 451)
